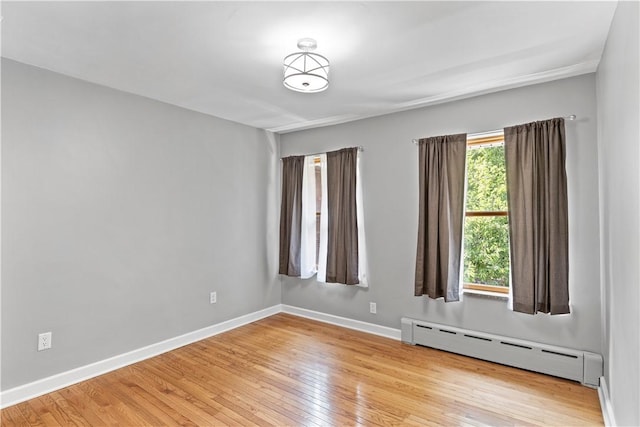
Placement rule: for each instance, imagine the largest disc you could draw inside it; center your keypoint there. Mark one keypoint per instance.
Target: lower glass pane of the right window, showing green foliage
(486, 250)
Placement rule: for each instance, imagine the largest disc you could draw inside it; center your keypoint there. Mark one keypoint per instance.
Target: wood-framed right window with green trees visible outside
(486, 225)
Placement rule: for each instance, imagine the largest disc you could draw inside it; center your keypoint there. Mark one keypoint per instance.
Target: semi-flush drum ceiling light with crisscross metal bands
(306, 71)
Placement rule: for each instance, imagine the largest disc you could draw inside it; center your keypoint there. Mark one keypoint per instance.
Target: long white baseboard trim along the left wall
(64, 379)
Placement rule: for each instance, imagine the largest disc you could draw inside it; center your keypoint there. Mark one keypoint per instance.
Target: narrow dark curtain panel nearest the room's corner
(291, 215)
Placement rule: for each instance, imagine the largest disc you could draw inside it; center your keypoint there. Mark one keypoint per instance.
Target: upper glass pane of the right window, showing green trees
(486, 179)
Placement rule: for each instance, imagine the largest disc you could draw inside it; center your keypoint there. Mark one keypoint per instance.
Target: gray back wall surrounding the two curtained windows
(390, 186)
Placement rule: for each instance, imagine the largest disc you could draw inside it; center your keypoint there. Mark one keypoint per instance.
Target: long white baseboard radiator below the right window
(575, 365)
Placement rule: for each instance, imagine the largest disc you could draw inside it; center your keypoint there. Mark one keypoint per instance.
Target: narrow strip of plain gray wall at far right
(619, 155)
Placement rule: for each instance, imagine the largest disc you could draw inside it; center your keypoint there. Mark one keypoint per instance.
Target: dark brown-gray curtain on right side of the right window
(538, 224)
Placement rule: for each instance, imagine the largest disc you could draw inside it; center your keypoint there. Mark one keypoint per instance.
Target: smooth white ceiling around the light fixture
(225, 58)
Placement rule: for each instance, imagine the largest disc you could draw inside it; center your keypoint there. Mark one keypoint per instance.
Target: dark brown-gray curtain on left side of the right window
(442, 177)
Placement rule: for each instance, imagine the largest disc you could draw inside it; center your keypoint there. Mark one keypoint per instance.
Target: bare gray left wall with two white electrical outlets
(119, 215)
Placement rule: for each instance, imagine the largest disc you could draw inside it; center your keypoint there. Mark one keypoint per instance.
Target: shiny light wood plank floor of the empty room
(290, 371)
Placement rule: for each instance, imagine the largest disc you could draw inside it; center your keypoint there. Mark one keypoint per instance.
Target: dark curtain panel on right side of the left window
(342, 234)
